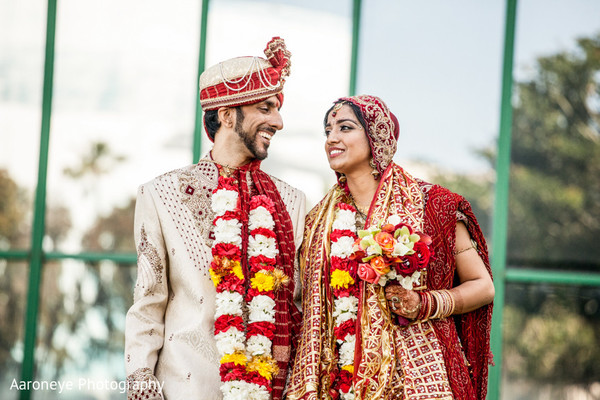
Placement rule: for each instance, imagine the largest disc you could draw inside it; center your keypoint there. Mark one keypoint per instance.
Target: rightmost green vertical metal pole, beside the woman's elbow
(501, 199)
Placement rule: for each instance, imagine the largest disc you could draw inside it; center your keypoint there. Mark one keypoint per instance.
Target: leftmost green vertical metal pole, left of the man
(37, 236)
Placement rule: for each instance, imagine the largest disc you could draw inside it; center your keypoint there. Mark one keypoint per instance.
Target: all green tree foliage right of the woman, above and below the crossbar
(551, 333)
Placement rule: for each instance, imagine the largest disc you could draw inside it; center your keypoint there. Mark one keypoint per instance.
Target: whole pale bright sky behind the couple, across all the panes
(131, 82)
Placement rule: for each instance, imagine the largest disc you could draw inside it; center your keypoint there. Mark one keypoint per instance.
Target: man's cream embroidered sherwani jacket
(169, 328)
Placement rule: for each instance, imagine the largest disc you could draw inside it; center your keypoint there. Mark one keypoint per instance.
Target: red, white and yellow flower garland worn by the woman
(344, 284)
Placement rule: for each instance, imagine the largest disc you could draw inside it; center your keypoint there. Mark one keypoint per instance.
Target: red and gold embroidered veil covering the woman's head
(382, 128)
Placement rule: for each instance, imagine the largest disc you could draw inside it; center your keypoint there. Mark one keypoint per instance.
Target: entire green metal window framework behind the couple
(36, 256)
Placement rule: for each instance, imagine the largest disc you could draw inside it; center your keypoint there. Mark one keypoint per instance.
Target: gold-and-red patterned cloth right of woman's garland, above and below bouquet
(391, 364)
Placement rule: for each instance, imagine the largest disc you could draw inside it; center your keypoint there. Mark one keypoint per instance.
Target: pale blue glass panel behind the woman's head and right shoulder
(438, 66)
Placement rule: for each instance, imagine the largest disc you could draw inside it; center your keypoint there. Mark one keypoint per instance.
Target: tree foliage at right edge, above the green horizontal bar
(554, 207)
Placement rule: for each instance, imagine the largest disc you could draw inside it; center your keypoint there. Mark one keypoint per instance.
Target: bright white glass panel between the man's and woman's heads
(319, 75)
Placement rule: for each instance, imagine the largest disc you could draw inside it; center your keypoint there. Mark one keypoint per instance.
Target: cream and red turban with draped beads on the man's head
(246, 80)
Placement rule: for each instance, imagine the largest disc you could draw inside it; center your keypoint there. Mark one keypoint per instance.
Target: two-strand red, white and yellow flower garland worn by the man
(247, 365)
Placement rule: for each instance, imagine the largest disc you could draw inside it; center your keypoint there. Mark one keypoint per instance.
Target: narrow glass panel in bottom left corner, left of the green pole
(13, 297)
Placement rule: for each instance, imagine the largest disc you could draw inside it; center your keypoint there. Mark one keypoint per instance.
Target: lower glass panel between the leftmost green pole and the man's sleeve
(81, 328)
